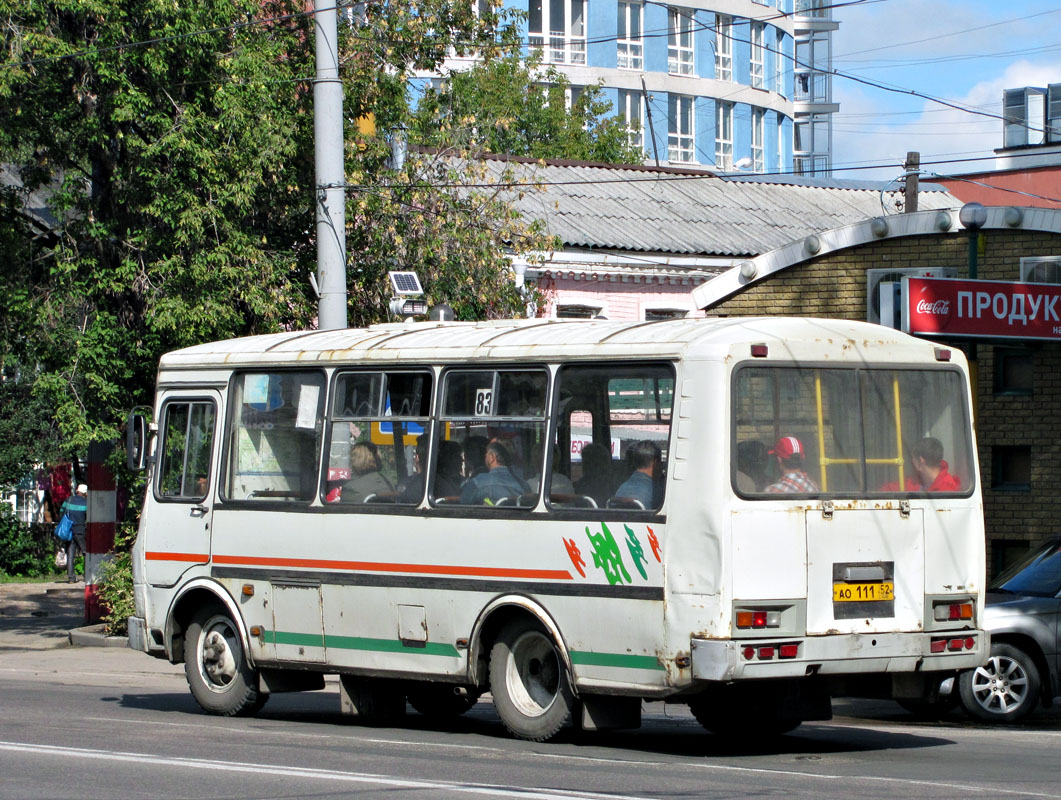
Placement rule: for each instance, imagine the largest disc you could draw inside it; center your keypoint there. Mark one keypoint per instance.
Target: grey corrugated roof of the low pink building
(624, 208)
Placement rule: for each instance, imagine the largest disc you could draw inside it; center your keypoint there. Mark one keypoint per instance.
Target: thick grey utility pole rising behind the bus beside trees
(331, 188)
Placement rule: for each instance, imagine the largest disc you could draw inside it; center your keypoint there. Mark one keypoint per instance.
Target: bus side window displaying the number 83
(496, 422)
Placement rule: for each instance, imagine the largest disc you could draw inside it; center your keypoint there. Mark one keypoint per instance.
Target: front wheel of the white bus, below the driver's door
(216, 666)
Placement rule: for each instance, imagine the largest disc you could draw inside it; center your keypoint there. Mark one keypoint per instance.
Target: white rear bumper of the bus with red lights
(841, 654)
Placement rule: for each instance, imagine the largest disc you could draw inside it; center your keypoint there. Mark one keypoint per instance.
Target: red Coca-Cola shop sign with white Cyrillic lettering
(983, 309)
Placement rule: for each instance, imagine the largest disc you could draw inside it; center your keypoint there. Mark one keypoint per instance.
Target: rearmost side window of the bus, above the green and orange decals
(612, 437)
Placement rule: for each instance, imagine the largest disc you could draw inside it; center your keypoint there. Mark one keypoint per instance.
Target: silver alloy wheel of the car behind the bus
(1005, 690)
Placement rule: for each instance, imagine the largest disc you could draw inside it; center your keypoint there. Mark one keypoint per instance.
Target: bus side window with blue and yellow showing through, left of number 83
(378, 440)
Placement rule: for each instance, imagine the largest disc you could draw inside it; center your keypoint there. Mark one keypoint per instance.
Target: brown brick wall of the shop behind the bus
(834, 286)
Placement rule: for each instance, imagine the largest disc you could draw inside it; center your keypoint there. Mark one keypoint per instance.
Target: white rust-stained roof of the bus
(517, 340)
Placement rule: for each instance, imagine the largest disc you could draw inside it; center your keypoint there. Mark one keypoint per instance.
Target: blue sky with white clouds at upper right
(963, 51)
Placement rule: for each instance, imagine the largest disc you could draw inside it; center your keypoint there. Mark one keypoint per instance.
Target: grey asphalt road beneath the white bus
(80, 723)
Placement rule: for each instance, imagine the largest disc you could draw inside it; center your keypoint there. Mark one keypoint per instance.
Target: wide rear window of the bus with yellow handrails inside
(850, 432)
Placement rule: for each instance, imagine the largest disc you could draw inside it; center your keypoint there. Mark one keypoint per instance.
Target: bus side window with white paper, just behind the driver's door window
(275, 437)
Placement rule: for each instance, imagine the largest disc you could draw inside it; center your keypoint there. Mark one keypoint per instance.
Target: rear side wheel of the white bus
(530, 684)
